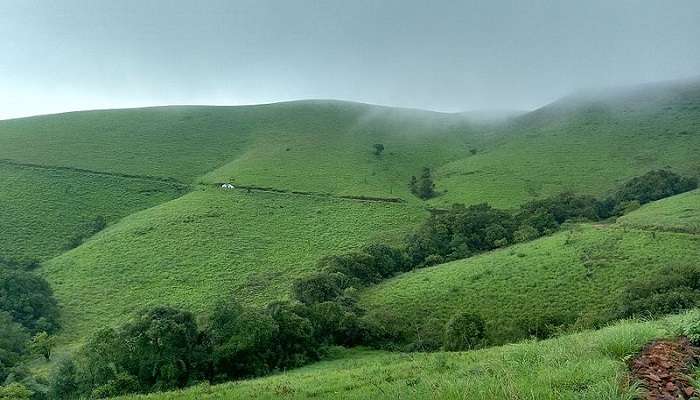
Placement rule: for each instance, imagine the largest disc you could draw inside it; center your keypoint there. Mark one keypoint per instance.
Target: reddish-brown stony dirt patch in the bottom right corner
(664, 369)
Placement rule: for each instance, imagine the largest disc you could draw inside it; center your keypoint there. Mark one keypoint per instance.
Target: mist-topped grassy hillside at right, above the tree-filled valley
(586, 143)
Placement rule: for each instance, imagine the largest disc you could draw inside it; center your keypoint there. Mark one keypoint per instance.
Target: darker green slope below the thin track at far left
(42, 209)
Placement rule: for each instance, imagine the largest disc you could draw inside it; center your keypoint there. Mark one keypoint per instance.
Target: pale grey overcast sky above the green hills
(449, 56)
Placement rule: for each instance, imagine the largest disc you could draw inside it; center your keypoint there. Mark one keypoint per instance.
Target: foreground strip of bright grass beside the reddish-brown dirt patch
(587, 365)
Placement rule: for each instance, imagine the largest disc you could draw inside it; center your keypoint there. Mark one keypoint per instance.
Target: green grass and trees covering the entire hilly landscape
(123, 210)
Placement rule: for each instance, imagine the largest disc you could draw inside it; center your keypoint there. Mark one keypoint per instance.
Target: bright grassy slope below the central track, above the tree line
(209, 244)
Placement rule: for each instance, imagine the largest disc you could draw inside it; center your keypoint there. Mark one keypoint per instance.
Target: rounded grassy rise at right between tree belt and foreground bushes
(575, 276)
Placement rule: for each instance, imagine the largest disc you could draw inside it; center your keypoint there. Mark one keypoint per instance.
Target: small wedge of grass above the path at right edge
(678, 213)
